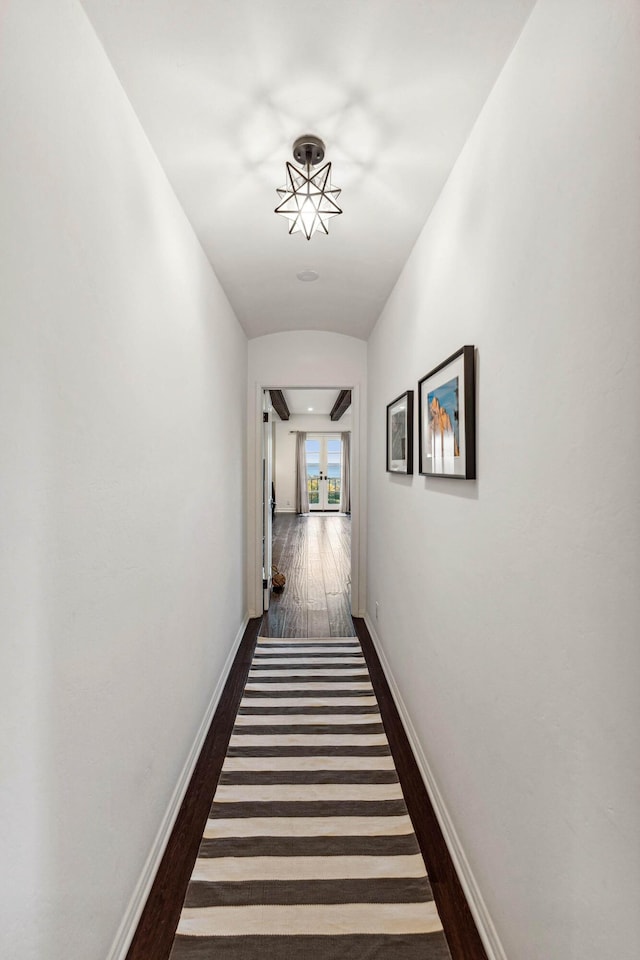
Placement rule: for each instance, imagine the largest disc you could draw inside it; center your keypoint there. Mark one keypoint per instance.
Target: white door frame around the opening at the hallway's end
(358, 497)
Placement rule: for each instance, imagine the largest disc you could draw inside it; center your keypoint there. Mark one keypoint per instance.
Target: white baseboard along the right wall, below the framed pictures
(481, 915)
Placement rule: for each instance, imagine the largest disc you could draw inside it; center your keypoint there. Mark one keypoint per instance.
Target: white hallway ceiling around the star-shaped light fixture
(224, 87)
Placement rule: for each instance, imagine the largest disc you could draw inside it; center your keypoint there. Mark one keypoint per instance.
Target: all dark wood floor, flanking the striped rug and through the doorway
(314, 554)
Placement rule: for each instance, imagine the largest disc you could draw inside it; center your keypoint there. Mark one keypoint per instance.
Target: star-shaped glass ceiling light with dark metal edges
(308, 199)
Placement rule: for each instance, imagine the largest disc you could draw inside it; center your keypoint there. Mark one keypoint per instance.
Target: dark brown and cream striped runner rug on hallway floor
(309, 851)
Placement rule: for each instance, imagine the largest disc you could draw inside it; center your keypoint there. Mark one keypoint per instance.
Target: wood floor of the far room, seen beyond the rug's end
(314, 553)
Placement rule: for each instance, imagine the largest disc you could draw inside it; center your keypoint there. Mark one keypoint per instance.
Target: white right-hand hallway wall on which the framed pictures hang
(509, 607)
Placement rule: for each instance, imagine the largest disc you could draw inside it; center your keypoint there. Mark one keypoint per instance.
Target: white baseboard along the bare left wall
(142, 889)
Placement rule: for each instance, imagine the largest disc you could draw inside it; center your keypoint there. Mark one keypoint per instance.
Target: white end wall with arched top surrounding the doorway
(307, 358)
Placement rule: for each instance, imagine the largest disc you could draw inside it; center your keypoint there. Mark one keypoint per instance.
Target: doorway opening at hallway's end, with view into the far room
(306, 512)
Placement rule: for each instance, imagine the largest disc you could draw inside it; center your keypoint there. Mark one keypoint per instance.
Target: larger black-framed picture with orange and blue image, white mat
(446, 413)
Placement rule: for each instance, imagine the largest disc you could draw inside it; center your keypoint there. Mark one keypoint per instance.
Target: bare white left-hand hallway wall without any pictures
(123, 391)
